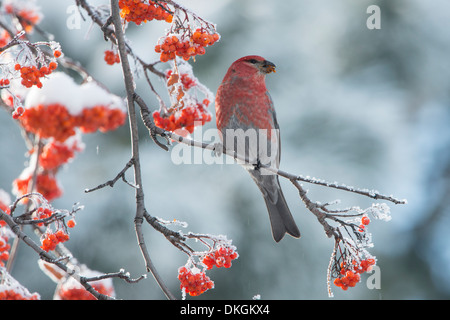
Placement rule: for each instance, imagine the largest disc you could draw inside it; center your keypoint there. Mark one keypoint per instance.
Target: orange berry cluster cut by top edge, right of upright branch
(138, 11)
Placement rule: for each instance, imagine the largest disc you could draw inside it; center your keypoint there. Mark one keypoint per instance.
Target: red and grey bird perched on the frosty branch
(246, 119)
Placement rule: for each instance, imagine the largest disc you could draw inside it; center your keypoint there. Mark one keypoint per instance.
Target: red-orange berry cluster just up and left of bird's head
(171, 46)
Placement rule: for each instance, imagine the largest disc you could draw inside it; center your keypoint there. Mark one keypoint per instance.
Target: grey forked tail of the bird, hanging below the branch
(280, 216)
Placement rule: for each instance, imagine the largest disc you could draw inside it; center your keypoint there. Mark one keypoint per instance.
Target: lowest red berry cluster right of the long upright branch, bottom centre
(194, 283)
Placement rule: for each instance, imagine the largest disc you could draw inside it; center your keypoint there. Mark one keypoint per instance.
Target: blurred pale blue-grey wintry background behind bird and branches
(368, 108)
